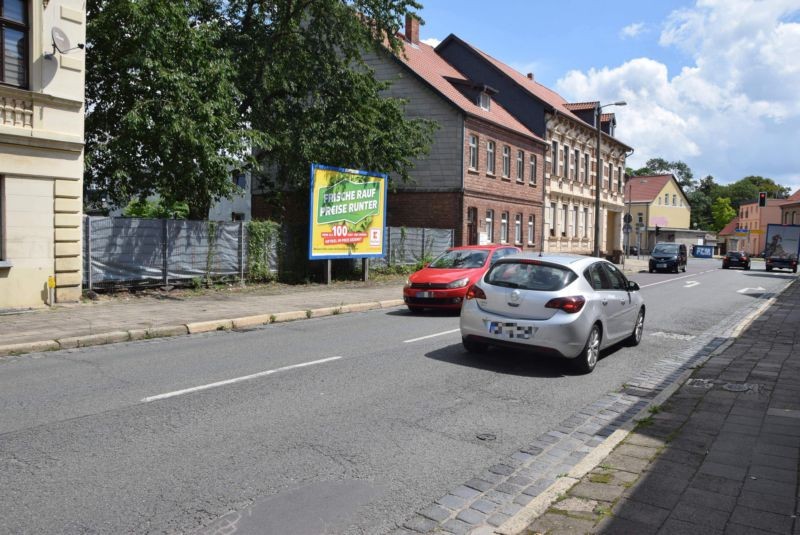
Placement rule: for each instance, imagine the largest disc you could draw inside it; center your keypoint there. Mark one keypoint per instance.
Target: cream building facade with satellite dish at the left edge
(41, 150)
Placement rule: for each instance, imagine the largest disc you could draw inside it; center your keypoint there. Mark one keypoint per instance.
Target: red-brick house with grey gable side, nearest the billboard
(483, 175)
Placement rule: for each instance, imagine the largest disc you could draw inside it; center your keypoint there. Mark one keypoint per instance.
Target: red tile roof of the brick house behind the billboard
(433, 69)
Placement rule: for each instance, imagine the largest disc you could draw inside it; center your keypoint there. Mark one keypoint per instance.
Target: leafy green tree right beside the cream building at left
(162, 105)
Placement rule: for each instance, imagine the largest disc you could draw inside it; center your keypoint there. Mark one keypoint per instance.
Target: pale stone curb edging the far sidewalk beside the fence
(88, 340)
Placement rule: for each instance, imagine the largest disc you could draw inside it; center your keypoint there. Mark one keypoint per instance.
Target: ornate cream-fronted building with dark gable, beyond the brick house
(570, 132)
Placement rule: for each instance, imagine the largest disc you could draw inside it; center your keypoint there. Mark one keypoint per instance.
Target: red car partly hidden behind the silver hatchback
(444, 282)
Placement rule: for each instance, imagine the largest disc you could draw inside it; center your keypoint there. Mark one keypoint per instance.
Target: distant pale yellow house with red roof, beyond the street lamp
(656, 201)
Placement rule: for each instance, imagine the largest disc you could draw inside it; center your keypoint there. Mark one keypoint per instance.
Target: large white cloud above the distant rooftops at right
(732, 112)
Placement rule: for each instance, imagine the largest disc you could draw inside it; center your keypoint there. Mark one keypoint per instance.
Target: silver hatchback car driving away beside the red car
(572, 306)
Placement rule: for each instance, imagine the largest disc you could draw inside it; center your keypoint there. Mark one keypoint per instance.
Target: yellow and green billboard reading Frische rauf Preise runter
(348, 213)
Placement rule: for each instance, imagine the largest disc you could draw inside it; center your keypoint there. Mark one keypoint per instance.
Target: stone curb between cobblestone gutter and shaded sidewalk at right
(518, 523)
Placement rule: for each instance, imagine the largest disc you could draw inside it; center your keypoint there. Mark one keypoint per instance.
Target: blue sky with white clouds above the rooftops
(712, 83)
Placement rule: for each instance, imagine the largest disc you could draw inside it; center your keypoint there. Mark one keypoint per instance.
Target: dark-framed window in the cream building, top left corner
(14, 42)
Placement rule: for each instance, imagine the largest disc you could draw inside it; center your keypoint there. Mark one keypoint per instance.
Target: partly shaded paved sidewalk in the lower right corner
(719, 456)
